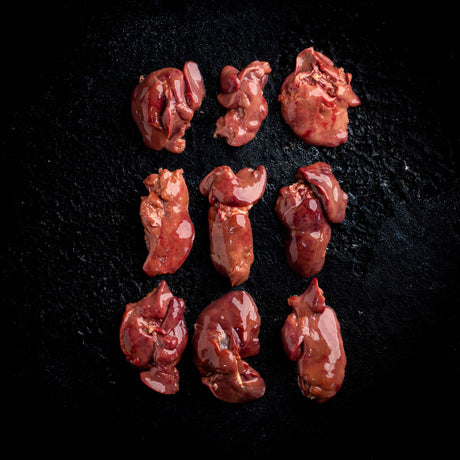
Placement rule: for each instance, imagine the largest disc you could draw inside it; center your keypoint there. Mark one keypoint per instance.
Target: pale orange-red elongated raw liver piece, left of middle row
(169, 231)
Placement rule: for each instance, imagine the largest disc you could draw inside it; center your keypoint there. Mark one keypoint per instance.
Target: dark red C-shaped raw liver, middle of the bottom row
(226, 331)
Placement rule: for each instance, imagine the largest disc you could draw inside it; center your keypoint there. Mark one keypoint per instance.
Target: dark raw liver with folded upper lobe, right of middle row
(306, 208)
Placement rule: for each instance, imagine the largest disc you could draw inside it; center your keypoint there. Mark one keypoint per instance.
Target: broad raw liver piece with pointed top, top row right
(315, 98)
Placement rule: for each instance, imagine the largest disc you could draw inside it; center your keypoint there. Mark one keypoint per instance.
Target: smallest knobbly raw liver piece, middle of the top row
(242, 96)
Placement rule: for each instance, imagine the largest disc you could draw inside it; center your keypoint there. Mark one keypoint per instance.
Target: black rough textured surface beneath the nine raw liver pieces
(75, 240)
